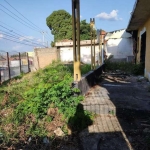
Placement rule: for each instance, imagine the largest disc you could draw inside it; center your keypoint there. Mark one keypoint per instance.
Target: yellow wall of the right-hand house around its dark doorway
(142, 29)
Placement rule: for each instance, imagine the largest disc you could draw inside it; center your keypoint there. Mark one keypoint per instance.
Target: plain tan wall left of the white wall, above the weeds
(44, 56)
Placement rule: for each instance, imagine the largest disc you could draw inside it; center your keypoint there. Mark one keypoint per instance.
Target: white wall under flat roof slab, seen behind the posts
(66, 54)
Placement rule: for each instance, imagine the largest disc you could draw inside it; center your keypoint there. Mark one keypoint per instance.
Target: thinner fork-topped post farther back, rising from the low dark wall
(92, 25)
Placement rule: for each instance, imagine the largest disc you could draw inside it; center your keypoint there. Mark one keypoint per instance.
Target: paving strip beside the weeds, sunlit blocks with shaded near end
(106, 132)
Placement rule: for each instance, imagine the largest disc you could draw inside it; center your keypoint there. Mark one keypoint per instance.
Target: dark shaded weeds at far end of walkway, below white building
(127, 67)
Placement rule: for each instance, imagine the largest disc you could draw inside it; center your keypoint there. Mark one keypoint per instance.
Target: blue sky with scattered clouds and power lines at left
(24, 21)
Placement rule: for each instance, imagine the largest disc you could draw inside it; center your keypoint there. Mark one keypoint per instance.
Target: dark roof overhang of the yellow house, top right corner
(140, 14)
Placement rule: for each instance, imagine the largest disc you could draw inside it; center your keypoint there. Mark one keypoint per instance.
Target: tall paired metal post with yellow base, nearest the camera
(76, 39)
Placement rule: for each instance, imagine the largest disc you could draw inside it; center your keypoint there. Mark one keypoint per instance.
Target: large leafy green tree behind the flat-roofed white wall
(60, 24)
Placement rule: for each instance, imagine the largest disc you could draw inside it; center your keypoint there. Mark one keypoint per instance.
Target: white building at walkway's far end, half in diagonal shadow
(119, 45)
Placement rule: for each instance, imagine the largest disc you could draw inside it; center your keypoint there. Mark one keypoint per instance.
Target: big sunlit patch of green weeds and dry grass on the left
(37, 104)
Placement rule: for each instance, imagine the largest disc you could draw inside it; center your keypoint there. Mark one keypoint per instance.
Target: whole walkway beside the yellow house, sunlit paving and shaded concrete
(108, 101)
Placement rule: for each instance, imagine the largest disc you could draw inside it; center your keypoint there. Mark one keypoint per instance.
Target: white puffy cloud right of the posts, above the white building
(112, 16)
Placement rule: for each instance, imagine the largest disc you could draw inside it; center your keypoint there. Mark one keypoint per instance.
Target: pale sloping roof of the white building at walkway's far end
(117, 34)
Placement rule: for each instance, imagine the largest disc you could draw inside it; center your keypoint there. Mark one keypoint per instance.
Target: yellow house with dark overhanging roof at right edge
(139, 27)
